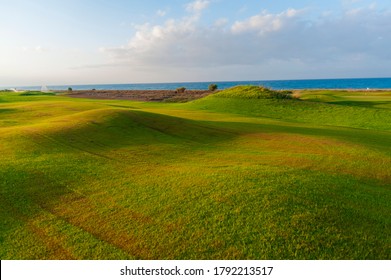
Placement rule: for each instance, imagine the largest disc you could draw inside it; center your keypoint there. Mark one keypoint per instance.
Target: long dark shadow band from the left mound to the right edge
(132, 128)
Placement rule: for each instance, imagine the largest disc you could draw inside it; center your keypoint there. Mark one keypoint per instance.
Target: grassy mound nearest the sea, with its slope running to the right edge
(358, 110)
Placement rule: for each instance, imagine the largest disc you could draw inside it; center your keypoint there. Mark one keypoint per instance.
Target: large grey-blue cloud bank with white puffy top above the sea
(286, 43)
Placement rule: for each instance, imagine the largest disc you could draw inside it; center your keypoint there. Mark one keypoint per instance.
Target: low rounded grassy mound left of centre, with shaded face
(102, 130)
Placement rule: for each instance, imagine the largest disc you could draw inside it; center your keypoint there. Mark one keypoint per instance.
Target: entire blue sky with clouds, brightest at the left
(72, 42)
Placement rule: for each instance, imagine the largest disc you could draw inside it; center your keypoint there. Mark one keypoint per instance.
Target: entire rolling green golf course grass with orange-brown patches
(224, 177)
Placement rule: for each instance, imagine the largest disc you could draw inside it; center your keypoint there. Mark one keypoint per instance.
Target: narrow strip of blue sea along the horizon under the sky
(358, 83)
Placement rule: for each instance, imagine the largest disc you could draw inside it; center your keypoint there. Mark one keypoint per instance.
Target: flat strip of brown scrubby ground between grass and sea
(142, 95)
